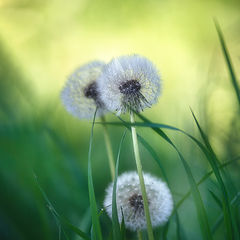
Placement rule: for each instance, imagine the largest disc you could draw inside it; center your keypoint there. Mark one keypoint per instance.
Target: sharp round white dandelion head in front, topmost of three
(129, 82)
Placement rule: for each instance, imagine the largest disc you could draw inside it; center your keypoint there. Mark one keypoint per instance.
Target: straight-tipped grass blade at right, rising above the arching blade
(214, 164)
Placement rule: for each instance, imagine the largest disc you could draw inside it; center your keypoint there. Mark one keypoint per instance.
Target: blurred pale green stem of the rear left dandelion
(109, 148)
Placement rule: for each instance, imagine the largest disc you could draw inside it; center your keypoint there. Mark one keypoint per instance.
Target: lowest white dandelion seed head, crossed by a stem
(130, 204)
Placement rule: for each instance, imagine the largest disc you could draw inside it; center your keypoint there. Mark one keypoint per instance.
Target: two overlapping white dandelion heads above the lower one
(127, 82)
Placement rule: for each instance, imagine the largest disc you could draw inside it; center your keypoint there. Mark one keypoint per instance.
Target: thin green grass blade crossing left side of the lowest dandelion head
(116, 225)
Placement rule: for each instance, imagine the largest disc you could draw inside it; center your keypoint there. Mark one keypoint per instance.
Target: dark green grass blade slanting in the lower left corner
(62, 220)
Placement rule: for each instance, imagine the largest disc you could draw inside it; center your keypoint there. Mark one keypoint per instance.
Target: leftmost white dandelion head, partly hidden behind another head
(80, 94)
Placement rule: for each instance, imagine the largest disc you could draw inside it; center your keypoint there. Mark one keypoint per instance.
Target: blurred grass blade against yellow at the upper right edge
(228, 61)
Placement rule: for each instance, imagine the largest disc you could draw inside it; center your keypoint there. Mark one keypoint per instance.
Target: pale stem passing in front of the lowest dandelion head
(141, 179)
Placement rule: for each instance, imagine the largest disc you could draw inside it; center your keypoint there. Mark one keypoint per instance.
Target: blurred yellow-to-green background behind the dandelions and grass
(43, 41)
